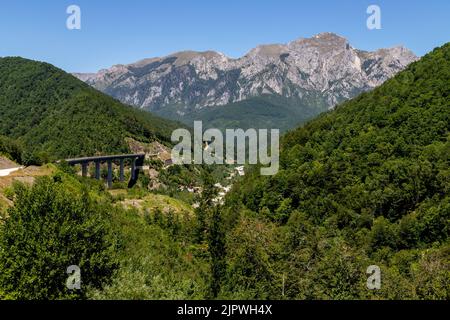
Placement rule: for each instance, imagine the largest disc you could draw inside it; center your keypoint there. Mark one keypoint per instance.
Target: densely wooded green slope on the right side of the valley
(366, 184)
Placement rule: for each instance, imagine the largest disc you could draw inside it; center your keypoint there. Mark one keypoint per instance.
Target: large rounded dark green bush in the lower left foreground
(51, 227)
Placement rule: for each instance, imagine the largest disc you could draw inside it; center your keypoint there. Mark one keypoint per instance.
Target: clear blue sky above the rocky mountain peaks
(116, 31)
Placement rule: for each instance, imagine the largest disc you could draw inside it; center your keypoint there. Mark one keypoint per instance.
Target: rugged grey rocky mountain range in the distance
(278, 85)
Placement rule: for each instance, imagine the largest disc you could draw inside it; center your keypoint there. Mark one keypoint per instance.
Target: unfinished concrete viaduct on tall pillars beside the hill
(137, 161)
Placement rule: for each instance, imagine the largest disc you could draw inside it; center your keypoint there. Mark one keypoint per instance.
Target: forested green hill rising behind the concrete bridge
(53, 115)
